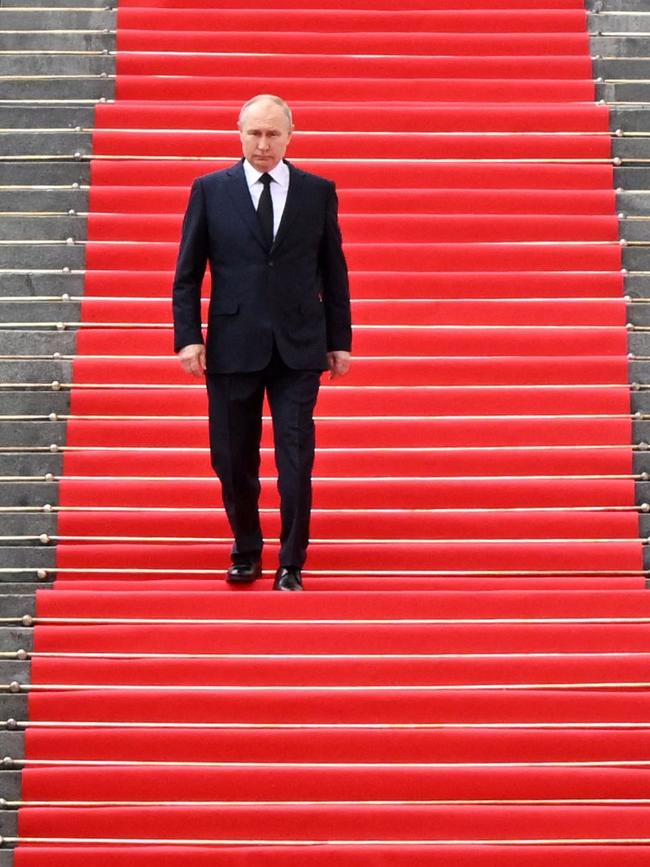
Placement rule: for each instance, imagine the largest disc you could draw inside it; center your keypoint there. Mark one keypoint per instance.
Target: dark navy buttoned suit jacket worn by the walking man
(296, 291)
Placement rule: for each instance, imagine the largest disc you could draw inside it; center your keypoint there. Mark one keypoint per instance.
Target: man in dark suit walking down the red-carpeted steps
(279, 315)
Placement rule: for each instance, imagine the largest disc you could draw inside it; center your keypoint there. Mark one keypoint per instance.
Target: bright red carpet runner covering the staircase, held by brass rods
(392, 714)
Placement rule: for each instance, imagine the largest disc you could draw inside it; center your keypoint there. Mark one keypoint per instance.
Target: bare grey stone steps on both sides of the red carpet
(55, 65)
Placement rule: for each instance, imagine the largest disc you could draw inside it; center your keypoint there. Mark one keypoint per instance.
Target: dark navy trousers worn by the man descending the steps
(235, 408)
